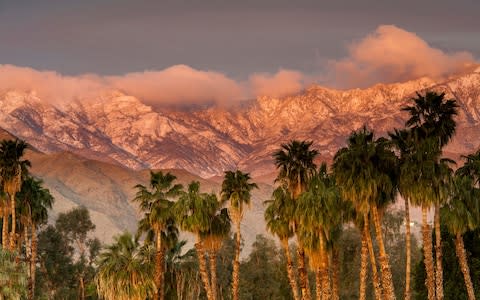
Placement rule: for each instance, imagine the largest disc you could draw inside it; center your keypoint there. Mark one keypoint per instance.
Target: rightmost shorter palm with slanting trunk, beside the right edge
(460, 216)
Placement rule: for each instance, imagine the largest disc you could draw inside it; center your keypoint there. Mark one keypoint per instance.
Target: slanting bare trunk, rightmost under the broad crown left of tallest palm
(387, 282)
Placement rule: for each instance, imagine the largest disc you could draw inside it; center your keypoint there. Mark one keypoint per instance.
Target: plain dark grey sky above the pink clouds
(237, 38)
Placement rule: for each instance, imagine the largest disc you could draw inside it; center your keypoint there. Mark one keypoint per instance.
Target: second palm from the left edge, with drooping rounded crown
(34, 201)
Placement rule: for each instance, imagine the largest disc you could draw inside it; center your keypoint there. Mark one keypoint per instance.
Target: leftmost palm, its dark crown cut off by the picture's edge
(12, 171)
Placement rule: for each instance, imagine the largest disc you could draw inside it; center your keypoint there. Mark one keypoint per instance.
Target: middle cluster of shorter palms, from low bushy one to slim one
(167, 207)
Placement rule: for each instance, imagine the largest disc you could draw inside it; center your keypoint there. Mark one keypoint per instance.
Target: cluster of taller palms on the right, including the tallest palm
(367, 175)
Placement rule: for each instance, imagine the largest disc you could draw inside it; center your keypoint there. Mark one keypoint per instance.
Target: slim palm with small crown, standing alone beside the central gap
(236, 188)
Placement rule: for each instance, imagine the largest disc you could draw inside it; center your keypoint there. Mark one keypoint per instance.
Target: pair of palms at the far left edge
(24, 204)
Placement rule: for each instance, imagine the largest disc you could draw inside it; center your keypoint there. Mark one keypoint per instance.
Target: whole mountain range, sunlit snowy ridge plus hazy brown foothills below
(93, 151)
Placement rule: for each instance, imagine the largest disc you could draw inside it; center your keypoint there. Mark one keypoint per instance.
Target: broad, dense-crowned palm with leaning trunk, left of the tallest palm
(366, 173)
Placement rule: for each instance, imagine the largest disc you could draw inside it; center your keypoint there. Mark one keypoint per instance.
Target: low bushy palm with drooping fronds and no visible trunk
(123, 272)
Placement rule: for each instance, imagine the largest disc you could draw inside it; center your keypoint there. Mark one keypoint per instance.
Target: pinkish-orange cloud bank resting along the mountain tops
(389, 54)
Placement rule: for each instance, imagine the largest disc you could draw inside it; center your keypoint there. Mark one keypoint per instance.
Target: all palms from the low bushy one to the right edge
(313, 205)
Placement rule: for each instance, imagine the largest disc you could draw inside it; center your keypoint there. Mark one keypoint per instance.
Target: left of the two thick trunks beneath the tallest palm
(428, 256)
